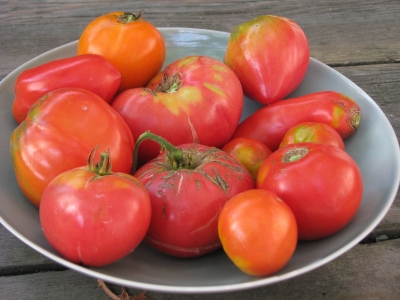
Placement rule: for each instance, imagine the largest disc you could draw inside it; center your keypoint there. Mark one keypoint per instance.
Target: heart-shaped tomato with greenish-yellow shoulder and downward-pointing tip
(270, 54)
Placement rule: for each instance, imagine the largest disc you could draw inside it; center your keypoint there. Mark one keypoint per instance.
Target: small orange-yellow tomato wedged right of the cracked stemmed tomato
(250, 152)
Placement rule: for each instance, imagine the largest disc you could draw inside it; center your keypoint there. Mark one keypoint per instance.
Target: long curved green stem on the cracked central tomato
(175, 155)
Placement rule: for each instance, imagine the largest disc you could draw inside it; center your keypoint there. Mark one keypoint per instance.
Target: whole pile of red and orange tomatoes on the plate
(114, 150)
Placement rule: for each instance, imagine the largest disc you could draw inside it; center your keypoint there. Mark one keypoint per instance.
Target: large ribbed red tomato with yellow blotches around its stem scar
(193, 97)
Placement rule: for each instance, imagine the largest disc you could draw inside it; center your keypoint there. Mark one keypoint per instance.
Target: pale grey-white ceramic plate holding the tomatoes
(374, 147)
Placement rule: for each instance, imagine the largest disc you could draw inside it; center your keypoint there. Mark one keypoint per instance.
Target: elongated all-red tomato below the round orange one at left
(91, 72)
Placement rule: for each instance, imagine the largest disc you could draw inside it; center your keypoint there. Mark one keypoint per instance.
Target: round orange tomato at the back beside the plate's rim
(136, 48)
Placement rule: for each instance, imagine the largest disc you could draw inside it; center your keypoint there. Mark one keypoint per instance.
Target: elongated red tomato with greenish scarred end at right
(270, 123)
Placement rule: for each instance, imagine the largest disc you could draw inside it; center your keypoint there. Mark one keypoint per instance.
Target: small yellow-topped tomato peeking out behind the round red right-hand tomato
(312, 132)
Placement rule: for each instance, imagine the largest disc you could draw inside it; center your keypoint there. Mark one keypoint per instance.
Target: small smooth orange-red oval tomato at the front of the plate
(258, 232)
